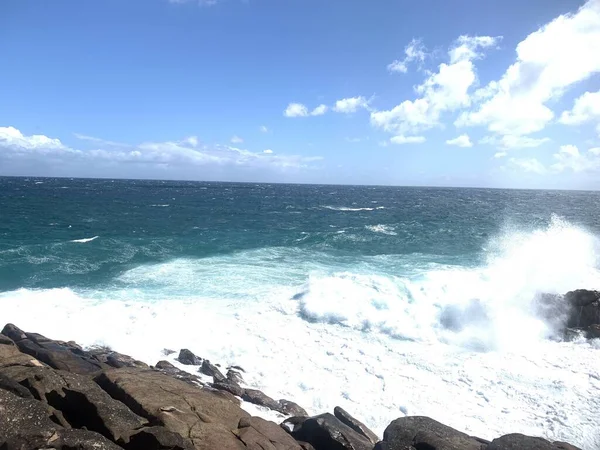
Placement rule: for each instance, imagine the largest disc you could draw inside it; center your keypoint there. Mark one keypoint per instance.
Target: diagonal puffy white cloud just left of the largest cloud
(443, 91)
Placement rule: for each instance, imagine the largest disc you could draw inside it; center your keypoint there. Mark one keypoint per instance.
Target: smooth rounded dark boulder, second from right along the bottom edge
(425, 433)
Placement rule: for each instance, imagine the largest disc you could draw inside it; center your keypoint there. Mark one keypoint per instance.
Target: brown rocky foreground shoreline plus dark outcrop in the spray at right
(57, 395)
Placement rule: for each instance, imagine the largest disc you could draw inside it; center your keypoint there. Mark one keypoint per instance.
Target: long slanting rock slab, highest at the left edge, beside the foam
(56, 354)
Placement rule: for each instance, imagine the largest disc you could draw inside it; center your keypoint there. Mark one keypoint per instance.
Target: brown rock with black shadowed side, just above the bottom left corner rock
(81, 401)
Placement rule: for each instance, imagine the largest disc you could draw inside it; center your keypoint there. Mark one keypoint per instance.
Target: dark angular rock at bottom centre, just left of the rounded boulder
(326, 432)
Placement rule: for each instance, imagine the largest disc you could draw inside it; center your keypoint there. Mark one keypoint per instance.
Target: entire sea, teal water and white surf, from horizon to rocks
(387, 301)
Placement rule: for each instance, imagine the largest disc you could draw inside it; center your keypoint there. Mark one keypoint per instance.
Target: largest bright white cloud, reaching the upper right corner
(549, 61)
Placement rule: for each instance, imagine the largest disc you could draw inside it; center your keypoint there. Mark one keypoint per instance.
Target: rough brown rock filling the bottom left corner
(25, 424)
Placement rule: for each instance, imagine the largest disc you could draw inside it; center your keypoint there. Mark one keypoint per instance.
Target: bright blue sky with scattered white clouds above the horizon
(388, 92)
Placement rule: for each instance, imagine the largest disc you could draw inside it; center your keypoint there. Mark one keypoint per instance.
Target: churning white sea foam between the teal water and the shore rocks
(464, 346)
